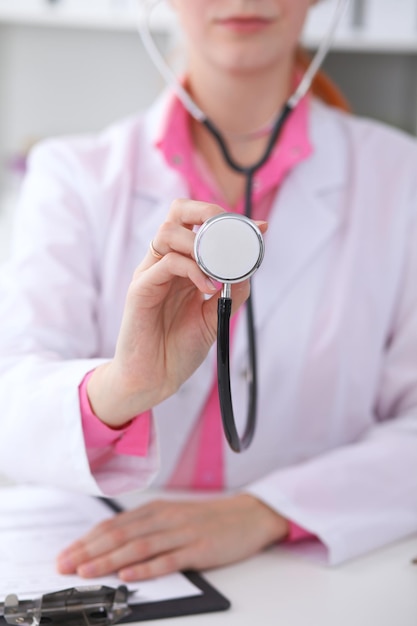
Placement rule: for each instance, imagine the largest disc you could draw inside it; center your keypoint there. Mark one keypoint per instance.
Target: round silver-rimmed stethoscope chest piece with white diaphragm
(229, 248)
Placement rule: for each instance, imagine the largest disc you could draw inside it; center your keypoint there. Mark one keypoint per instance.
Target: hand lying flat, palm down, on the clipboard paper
(163, 537)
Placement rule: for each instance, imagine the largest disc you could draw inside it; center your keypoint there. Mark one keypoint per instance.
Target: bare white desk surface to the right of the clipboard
(283, 589)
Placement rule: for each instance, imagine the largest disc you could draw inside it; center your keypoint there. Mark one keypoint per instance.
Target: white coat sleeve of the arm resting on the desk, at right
(364, 495)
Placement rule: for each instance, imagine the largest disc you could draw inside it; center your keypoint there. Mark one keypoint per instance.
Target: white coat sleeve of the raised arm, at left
(49, 336)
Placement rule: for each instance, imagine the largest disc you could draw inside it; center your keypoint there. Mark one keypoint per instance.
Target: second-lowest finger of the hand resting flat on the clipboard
(135, 552)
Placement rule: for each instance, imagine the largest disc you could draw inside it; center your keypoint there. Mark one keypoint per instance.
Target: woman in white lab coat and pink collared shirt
(107, 370)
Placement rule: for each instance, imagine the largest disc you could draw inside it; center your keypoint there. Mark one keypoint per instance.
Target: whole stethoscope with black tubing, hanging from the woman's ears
(229, 248)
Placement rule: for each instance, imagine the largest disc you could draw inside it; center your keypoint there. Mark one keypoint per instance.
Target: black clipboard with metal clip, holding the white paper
(101, 605)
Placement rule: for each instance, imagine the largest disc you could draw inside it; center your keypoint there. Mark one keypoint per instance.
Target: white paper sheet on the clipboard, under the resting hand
(37, 523)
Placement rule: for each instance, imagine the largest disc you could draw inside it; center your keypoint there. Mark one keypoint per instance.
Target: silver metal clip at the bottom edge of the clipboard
(94, 605)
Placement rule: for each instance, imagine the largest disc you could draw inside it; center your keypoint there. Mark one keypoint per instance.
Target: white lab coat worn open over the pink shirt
(336, 320)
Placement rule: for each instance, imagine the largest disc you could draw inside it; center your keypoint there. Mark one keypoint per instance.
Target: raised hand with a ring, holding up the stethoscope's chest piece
(169, 321)
